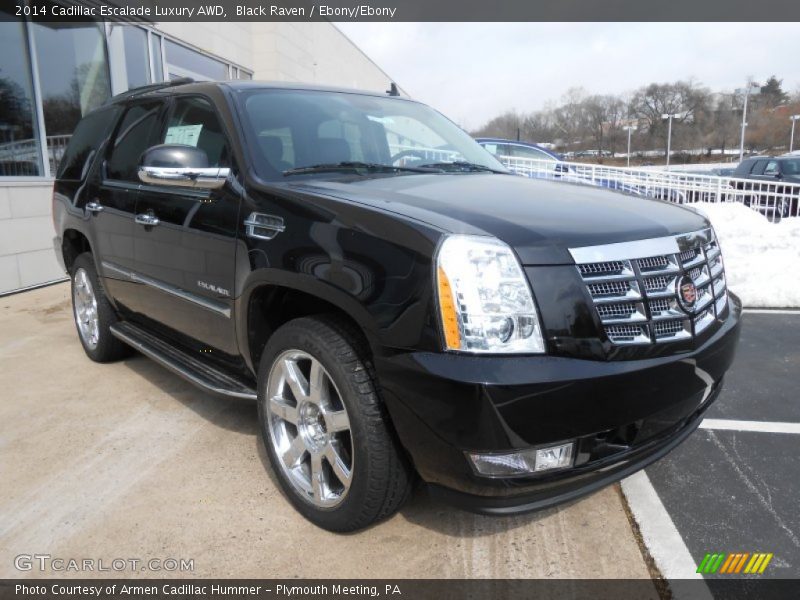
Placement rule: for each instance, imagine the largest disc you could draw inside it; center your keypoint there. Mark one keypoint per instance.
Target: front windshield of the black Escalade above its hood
(291, 130)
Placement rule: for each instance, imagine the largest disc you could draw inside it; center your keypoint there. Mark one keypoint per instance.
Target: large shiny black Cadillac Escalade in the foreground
(397, 303)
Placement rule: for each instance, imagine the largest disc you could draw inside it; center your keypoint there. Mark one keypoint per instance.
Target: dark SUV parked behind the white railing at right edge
(775, 186)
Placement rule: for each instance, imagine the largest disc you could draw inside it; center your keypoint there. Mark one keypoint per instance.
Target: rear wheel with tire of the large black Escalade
(93, 313)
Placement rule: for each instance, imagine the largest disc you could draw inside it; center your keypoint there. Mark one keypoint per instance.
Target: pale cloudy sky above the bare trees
(474, 71)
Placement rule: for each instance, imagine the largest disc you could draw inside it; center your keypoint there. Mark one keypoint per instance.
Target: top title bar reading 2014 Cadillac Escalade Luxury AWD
(405, 10)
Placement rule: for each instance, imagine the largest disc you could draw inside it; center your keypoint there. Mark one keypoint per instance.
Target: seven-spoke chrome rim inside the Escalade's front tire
(309, 429)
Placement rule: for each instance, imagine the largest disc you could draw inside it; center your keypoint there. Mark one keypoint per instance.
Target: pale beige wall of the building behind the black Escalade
(307, 52)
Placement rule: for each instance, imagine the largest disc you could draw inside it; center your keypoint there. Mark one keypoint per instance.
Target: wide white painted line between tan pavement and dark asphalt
(659, 533)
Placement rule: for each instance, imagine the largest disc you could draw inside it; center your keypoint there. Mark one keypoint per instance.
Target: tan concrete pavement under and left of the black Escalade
(129, 461)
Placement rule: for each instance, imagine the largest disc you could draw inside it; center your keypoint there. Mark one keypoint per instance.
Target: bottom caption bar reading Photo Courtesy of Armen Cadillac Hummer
(399, 589)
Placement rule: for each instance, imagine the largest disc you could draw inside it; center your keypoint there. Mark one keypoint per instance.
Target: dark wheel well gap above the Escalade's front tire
(270, 307)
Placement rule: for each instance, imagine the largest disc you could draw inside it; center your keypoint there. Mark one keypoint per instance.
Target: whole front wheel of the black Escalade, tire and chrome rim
(325, 430)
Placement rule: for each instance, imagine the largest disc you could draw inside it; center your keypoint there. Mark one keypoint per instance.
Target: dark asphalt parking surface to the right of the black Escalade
(739, 491)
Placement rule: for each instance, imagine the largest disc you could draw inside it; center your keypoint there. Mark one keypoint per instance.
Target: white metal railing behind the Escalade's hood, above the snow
(776, 199)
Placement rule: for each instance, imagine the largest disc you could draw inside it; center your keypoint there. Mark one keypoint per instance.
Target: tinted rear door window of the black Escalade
(138, 131)
